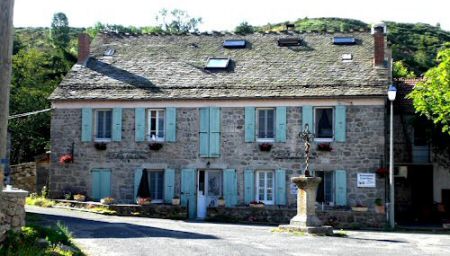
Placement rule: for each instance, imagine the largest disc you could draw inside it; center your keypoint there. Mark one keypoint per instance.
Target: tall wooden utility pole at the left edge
(6, 40)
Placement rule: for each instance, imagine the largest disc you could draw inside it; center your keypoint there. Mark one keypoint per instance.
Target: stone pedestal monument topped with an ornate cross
(306, 219)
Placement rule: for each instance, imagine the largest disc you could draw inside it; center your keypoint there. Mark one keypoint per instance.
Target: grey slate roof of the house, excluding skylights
(172, 67)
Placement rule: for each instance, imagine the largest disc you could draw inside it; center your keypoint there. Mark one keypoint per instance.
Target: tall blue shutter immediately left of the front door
(188, 191)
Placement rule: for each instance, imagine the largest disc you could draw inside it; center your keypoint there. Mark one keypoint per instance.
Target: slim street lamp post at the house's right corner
(392, 92)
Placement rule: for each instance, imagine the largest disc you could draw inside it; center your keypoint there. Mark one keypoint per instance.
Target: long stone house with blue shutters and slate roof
(203, 116)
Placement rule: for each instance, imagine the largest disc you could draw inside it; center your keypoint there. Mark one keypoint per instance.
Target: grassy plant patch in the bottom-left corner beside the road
(35, 240)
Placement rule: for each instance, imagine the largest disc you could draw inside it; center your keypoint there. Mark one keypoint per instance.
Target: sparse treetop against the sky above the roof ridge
(177, 21)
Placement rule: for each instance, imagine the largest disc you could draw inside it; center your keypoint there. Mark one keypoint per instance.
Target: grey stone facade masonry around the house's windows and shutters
(363, 151)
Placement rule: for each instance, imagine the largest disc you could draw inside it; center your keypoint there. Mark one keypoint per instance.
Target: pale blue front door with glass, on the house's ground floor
(209, 190)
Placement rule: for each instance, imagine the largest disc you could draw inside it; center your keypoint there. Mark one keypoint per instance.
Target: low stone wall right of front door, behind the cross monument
(273, 215)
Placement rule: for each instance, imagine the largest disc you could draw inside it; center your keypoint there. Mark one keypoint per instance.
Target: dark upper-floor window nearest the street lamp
(323, 124)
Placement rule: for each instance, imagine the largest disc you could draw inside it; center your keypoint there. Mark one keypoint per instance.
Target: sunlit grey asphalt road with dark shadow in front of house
(112, 235)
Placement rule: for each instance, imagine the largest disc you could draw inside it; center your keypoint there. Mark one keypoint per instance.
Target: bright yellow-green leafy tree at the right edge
(432, 96)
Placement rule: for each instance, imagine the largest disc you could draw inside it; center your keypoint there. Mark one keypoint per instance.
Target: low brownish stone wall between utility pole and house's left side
(23, 176)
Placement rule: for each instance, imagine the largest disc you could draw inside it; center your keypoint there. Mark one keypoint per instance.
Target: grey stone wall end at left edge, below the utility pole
(12, 211)
